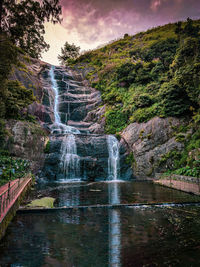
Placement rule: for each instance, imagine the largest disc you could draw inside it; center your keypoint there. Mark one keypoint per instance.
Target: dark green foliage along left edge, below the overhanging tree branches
(14, 97)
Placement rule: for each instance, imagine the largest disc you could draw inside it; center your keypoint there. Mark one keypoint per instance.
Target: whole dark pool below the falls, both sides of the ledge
(98, 237)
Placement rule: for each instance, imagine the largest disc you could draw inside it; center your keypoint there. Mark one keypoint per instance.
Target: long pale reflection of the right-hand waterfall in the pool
(114, 226)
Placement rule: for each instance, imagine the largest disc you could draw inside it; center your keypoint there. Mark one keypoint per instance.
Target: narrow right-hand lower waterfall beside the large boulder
(113, 160)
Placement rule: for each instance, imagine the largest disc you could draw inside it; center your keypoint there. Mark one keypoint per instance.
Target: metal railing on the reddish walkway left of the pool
(9, 194)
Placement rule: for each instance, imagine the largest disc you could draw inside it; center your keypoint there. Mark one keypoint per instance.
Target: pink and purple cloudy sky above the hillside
(90, 23)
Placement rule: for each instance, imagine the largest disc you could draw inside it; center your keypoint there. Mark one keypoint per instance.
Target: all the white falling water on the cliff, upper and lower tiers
(69, 159)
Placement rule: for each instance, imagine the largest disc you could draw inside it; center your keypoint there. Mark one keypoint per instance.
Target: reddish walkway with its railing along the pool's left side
(9, 193)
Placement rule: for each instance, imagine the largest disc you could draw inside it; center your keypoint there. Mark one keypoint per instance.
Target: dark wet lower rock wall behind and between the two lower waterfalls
(93, 153)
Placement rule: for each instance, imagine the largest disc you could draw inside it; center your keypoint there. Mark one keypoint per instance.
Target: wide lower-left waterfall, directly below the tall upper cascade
(70, 161)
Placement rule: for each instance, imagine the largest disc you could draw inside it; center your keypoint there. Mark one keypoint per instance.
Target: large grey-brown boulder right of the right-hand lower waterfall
(149, 142)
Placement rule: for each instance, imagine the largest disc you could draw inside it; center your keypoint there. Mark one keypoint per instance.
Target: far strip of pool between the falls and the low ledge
(81, 194)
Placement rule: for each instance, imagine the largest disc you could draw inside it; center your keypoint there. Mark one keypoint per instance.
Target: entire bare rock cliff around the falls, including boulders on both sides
(80, 107)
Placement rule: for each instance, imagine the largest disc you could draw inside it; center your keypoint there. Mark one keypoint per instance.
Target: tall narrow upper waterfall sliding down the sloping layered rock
(58, 126)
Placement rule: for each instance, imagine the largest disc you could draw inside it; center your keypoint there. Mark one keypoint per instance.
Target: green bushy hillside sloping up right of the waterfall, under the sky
(154, 73)
